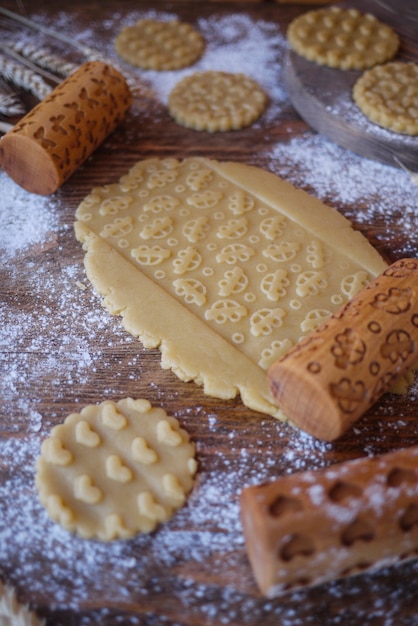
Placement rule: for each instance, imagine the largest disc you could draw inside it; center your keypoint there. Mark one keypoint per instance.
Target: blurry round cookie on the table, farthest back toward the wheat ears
(156, 45)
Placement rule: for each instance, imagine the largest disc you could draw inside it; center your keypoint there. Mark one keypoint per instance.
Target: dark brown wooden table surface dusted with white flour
(59, 350)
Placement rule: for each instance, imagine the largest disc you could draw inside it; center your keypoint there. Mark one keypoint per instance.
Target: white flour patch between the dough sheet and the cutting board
(366, 190)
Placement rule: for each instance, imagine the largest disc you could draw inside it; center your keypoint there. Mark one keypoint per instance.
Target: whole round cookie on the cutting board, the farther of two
(342, 38)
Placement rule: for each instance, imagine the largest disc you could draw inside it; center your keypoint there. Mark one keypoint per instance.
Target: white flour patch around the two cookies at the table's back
(229, 39)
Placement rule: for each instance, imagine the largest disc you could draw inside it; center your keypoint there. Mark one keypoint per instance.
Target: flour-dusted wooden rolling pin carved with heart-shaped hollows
(317, 526)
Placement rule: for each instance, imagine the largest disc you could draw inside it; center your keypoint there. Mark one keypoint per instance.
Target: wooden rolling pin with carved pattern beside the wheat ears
(42, 151)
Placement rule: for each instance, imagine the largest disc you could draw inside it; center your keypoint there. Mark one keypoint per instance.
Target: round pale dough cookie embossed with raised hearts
(115, 469)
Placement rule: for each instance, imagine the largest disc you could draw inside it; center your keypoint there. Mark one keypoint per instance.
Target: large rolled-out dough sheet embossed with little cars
(223, 266)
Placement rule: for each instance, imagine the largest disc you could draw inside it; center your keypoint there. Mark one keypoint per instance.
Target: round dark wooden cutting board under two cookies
(322, 95)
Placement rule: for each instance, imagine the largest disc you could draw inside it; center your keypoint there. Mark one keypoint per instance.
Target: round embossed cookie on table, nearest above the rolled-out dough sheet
(216, 101)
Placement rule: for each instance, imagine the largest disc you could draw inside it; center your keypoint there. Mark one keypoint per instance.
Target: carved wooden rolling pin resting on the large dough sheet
(328, 380)
